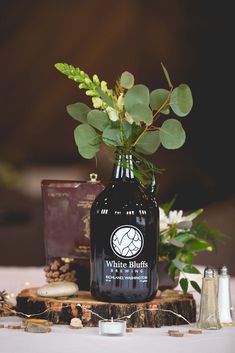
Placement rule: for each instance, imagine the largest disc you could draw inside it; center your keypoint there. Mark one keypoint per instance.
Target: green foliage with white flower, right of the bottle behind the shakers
(181, 242)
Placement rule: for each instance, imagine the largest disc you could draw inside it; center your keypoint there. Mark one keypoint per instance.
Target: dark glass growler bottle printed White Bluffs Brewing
(124, 238)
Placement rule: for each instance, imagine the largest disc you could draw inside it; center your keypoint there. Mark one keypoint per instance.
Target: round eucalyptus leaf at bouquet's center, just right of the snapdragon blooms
(137, 94)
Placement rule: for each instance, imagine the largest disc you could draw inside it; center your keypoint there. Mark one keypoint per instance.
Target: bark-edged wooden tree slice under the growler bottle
(62, 310)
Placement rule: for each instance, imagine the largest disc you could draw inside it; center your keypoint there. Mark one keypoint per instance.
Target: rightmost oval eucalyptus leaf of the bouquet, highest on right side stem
(181, 100)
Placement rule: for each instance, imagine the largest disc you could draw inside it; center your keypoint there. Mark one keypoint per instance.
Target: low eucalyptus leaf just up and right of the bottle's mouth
(149, 142)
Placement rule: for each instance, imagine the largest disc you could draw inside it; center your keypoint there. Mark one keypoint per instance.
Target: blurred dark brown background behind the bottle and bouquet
(193, 39)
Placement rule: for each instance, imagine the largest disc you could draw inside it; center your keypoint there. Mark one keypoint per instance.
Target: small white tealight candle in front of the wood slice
(112, 328)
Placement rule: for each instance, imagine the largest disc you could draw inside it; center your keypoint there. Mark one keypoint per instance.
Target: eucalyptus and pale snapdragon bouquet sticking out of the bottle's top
(127, 116)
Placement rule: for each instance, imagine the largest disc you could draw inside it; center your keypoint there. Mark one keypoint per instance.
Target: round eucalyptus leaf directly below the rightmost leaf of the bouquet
(172, 134)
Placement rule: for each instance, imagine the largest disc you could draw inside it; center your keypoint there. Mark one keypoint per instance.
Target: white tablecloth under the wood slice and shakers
(63, 339)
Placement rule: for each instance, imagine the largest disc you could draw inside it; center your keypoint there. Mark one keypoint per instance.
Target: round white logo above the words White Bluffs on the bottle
(127, 241)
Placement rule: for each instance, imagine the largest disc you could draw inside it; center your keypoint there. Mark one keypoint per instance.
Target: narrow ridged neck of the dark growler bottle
(123, 166)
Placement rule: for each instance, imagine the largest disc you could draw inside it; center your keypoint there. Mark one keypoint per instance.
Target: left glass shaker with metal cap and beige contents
(208, 317)
